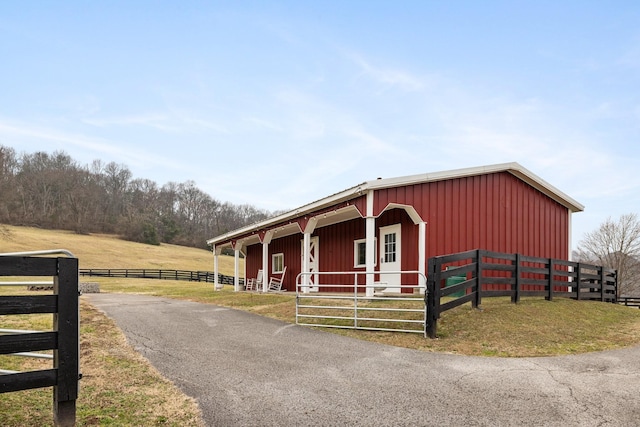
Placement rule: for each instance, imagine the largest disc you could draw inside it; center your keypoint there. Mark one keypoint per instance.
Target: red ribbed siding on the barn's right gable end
(497, 212)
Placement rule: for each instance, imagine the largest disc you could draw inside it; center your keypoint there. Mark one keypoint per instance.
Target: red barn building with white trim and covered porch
(396, 224)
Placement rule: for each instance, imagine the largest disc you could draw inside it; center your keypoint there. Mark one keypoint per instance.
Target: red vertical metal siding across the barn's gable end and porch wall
(496, 211)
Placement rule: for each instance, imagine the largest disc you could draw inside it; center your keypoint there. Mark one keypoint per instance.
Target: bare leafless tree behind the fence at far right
(616, 244)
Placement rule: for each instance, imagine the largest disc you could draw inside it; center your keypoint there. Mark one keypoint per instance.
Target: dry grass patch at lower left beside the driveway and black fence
(118, 387)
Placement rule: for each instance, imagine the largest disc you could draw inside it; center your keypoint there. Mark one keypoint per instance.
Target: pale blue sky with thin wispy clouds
(280, 103)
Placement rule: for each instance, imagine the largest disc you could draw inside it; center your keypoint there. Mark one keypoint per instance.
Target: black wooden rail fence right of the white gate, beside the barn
(456, 279)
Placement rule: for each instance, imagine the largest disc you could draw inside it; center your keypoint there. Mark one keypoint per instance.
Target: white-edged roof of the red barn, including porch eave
(356, 191)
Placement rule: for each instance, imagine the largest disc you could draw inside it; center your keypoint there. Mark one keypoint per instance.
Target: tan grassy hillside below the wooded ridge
(107, 251)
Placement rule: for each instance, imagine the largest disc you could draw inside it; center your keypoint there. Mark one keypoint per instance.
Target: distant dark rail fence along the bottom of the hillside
(147, 273)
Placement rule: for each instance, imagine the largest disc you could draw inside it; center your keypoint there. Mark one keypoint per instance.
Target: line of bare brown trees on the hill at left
(54, 191)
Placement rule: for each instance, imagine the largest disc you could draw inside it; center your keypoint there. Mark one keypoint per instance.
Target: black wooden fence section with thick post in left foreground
(63, 339)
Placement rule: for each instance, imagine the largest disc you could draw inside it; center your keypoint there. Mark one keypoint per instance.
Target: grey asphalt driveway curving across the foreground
(246, 370)
